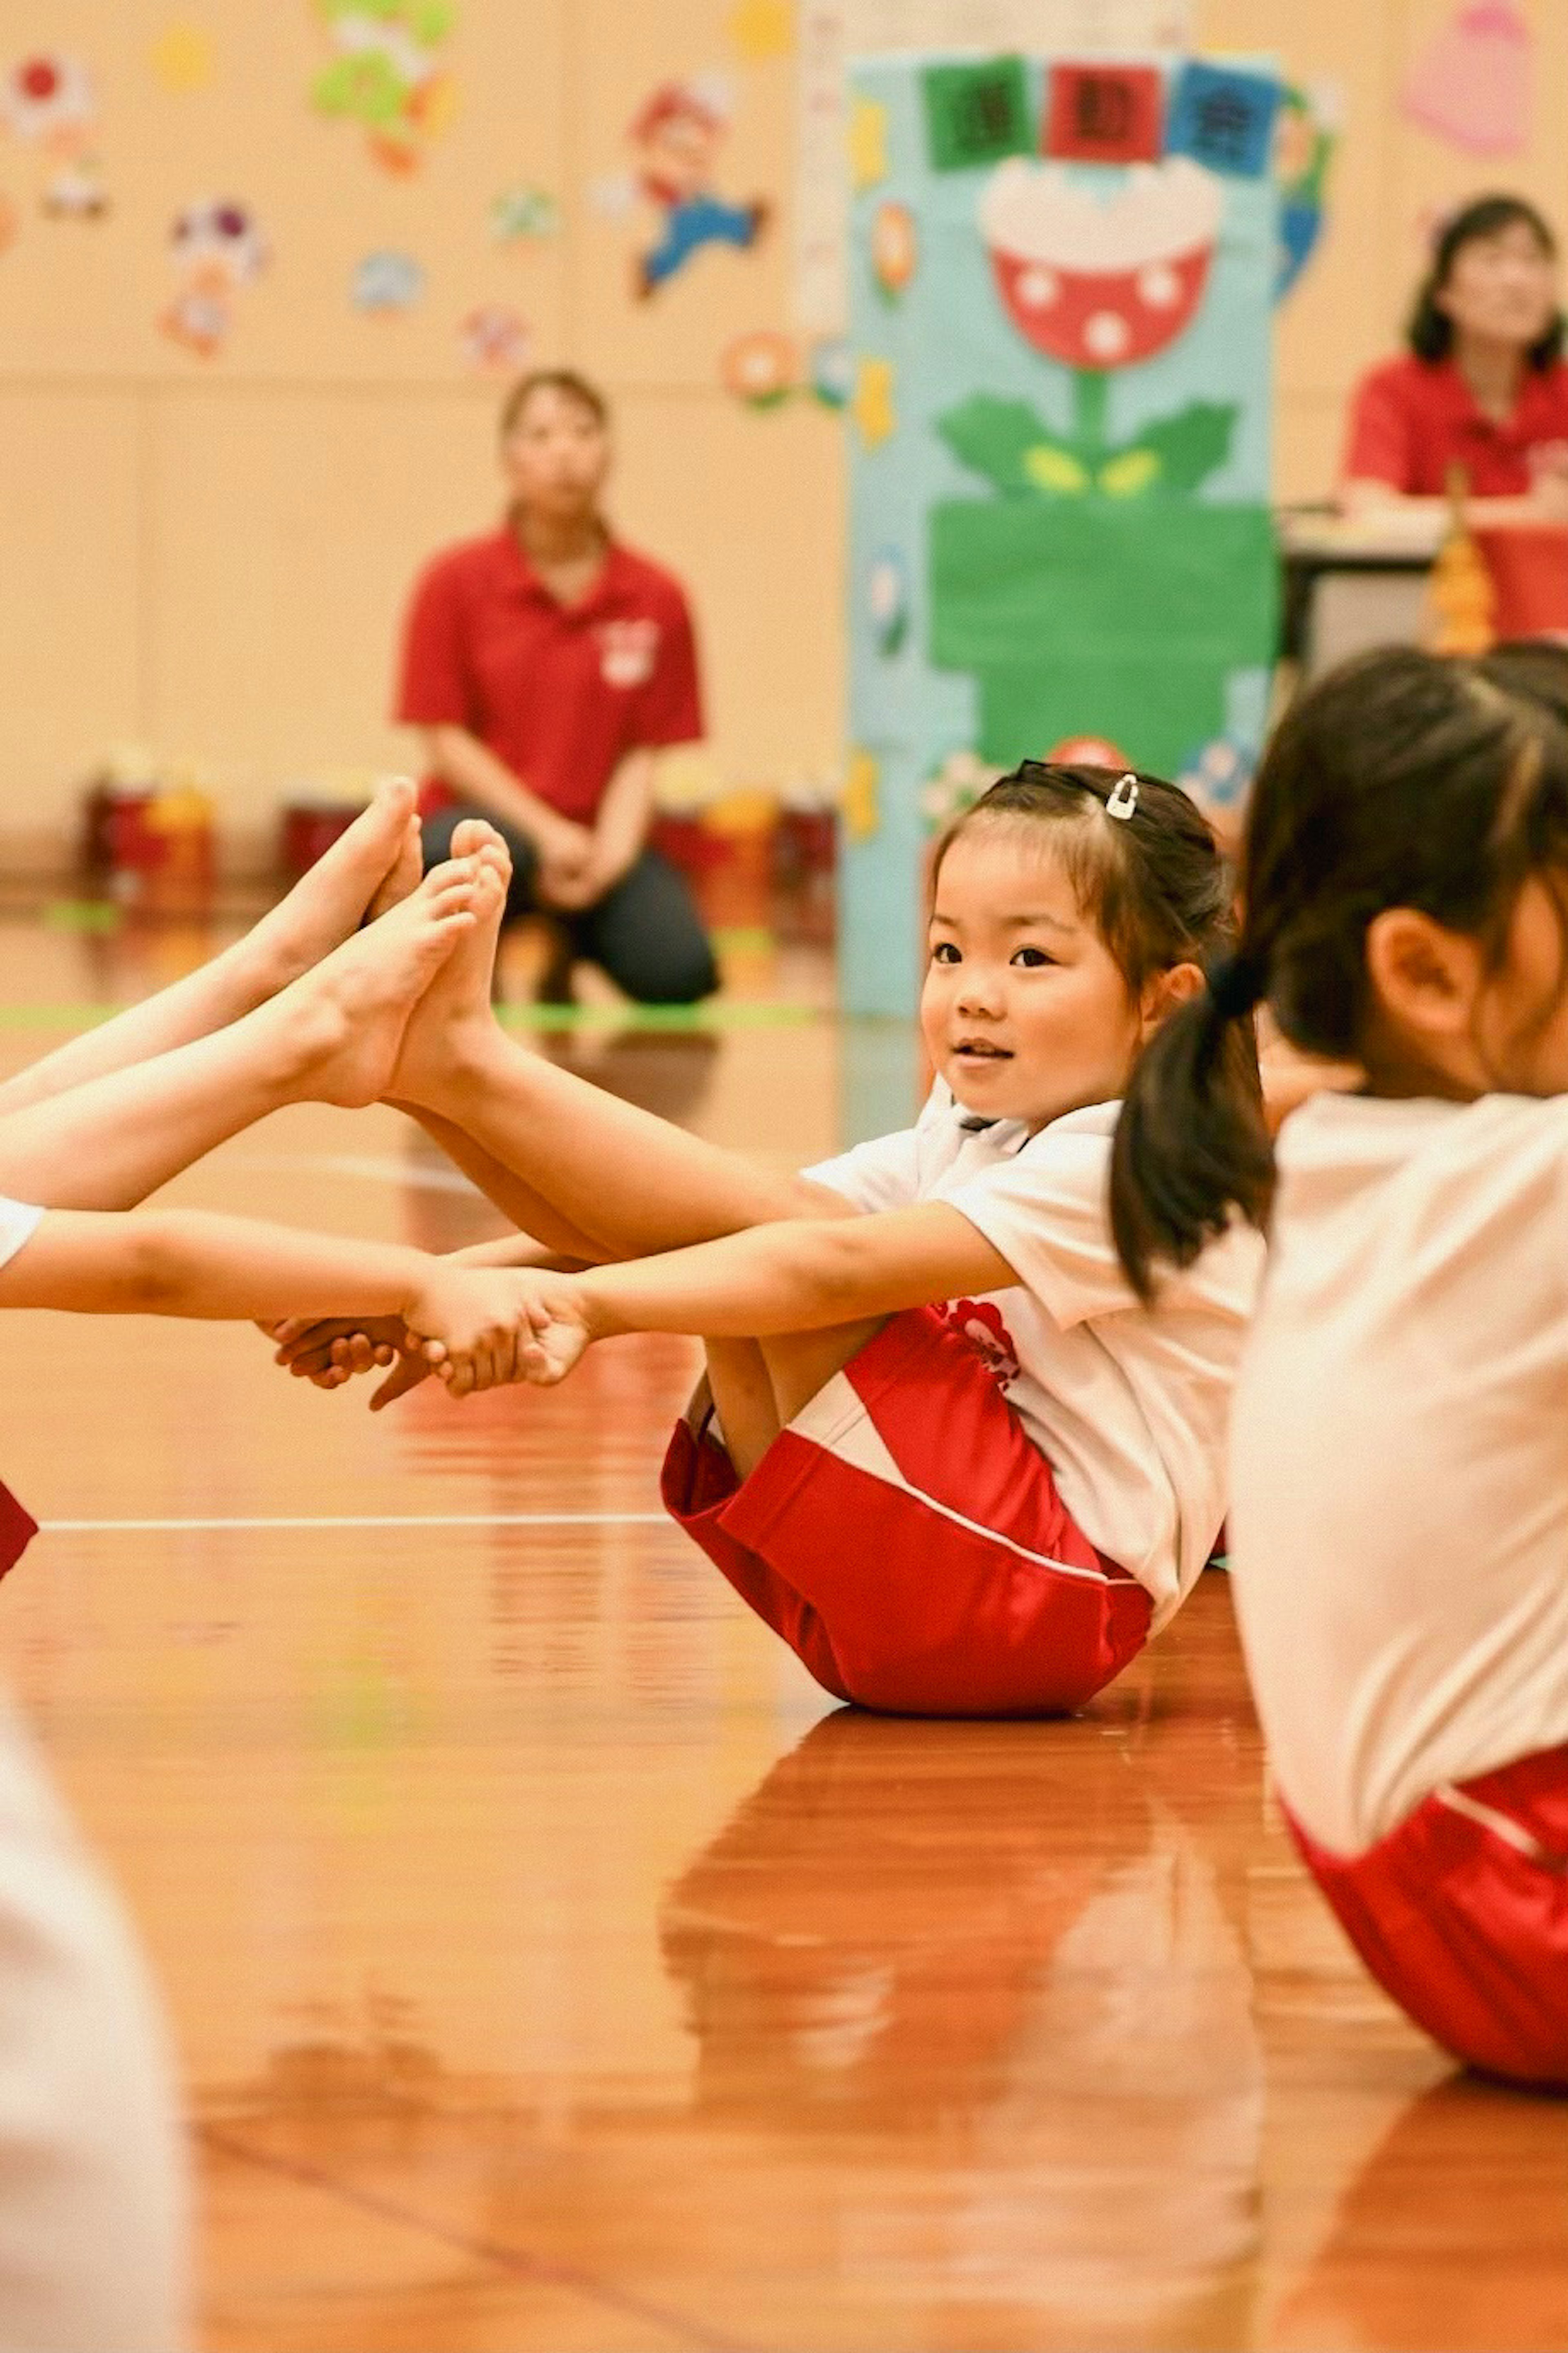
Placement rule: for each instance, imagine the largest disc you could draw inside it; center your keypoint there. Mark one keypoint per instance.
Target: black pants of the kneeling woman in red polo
(646, 931)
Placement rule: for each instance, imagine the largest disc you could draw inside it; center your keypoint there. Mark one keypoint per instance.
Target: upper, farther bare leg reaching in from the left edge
(378, 853)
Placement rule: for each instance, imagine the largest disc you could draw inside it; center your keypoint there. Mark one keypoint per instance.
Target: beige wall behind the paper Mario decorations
(211, 554)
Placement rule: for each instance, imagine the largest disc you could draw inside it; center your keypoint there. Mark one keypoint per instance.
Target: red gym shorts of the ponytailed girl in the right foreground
(1463, 1917)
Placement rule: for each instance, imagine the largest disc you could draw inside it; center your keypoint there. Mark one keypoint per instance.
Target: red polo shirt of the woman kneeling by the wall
(559, 693)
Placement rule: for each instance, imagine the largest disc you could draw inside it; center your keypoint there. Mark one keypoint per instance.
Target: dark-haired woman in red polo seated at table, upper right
(1484, 389)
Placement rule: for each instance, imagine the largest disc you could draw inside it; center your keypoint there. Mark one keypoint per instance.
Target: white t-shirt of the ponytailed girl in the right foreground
(1400, 1455)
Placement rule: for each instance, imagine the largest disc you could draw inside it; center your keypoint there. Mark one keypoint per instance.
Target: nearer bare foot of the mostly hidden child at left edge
(345, 1020)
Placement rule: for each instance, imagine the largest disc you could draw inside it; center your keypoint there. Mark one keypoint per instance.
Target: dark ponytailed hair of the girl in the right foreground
(1397, 780)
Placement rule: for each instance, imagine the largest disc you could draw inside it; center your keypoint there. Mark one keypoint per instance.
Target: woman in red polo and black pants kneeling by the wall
(547, 665)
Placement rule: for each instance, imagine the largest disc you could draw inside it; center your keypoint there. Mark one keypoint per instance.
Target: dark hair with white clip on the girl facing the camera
(1155, 886)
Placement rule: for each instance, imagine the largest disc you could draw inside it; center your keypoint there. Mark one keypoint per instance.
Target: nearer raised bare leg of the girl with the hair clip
(620, 1178)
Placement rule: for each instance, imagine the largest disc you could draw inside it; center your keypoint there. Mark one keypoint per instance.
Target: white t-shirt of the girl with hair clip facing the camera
(1129, 1404)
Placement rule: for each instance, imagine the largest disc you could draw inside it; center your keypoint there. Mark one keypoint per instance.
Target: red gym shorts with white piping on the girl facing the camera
(908, 1540)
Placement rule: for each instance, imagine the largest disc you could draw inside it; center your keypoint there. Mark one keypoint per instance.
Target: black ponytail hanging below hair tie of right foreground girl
(1192, 1142)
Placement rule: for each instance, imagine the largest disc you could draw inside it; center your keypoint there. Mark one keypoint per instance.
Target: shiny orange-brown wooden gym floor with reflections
(554, 1968)
